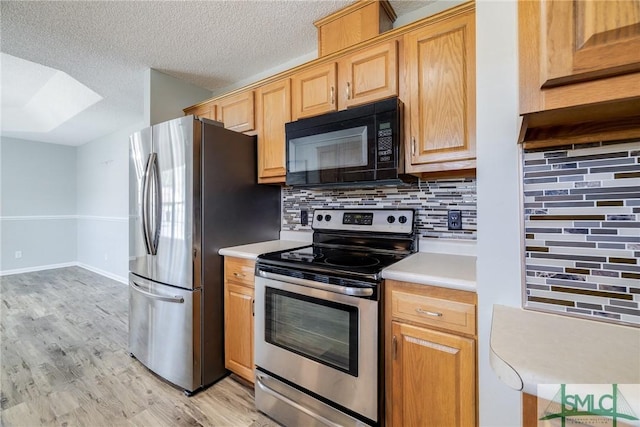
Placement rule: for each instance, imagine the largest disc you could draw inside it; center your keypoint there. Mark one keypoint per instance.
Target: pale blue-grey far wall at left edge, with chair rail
(37, 205)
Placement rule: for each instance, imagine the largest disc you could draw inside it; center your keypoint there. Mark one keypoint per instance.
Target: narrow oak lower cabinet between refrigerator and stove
(238, 316)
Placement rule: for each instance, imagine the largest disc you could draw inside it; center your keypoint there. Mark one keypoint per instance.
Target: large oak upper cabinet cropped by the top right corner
(577, 52)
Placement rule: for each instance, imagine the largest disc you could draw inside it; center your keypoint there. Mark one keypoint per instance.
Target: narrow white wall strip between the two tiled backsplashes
(499, 233)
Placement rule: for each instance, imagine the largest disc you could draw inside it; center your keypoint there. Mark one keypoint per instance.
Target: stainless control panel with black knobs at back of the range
(373, 220)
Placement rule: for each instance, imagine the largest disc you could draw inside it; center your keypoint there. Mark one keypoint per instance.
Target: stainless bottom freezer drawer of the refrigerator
(164, 331)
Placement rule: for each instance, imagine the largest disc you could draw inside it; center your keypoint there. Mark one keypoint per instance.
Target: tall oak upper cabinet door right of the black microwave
(440, 64)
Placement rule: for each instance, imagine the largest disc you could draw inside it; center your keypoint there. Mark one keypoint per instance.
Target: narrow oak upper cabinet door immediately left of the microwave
(274, 110)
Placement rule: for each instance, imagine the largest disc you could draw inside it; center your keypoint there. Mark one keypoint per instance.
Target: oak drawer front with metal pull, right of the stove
(446, 314)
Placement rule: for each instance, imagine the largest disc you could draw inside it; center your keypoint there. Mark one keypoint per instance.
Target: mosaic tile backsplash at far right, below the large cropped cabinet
(582, 209)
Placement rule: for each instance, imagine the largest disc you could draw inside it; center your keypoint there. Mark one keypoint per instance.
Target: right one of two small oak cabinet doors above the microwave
(368, 75)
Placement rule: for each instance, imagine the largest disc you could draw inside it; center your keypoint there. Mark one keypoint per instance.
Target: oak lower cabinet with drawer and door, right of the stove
(430, 364)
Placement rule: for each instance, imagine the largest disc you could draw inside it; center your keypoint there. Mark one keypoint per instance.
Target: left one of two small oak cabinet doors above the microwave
(314, 91)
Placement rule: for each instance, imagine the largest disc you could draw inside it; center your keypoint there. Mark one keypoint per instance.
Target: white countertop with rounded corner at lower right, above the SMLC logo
(530, 348)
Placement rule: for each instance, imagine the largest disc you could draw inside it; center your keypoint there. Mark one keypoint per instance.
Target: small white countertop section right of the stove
(436, 269)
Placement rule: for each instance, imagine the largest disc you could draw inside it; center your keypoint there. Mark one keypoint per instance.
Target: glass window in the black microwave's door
(332, 150)
